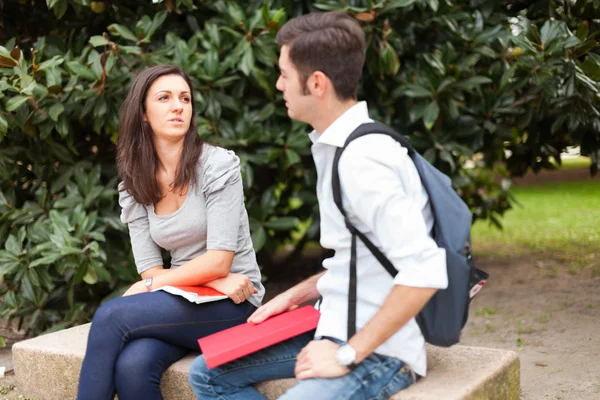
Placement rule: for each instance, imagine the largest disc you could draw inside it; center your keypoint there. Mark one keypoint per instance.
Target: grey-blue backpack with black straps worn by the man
(443, 317)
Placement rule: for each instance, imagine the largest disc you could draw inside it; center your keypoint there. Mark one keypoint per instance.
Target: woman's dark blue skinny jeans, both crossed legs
(134, 339)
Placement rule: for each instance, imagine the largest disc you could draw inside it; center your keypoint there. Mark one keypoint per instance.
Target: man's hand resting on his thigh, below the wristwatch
(317, 360)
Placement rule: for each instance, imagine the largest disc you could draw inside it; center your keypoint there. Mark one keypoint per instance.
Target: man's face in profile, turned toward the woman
(298, 103)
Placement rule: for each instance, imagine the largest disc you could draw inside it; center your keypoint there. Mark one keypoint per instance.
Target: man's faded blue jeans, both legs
(377, 377)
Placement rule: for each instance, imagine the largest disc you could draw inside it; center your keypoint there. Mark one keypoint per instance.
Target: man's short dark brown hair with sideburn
(332, 43)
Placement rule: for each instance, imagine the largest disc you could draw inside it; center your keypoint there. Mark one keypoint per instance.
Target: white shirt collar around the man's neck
(337, 133)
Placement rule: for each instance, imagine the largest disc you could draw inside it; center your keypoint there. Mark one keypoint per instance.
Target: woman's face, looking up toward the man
(169, 107)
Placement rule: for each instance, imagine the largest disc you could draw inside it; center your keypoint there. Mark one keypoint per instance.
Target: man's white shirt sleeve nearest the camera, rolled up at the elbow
(382, 189)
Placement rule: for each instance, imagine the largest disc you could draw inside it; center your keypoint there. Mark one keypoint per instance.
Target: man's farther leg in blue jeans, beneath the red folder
(234, 380)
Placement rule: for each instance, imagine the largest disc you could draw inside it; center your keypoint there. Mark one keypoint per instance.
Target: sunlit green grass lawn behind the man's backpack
(562, 218)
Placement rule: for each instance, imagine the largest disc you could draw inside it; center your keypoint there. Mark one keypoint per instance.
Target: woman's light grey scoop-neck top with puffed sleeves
(212, 217)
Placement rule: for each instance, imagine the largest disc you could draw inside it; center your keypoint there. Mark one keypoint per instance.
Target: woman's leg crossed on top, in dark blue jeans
(157, 315)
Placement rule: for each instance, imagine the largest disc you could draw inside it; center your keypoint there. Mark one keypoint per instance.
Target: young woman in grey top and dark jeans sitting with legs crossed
(185, 196)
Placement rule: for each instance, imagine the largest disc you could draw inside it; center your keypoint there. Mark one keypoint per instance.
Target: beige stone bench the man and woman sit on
(47, 368)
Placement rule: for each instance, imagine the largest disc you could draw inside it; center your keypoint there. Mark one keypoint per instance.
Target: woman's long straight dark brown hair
(137, 161)
